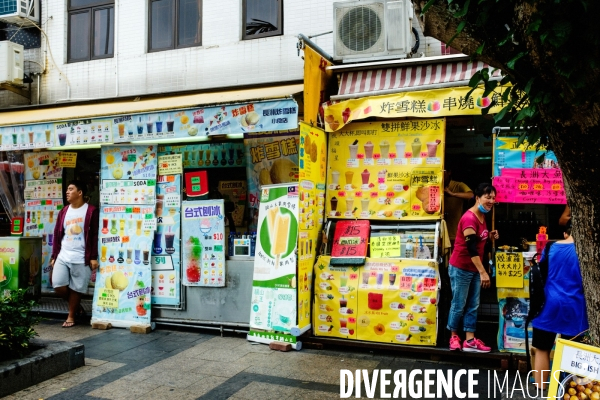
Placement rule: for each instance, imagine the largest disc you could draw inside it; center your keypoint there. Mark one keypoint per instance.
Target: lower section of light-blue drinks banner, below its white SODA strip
(124, 250)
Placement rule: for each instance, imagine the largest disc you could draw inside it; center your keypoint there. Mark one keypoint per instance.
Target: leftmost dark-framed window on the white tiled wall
(91, 30)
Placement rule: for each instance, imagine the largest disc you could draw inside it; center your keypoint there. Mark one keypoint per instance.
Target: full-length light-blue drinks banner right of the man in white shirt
(123, 290)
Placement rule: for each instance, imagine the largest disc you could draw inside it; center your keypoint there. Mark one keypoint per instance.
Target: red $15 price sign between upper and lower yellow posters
(350, 242)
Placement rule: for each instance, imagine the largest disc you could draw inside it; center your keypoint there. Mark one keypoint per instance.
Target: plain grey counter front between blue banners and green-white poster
(220, 306)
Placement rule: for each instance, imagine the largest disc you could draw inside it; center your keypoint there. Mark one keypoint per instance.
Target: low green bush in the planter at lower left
(16, 324)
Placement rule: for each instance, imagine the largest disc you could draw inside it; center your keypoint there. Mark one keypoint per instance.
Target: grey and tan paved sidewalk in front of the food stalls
(178, 364)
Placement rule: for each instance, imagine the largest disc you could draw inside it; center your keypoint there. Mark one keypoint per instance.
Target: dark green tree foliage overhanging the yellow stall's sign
(558, 39)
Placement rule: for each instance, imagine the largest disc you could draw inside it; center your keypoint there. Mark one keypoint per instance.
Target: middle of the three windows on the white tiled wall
(174, 24)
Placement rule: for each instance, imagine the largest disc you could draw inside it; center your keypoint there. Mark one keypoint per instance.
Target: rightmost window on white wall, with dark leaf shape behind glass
(262, 18)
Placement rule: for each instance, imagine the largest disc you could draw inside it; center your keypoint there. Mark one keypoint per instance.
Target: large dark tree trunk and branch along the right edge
(573, 114)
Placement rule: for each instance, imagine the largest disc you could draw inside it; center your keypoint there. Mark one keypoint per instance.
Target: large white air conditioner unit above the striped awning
(372, 29)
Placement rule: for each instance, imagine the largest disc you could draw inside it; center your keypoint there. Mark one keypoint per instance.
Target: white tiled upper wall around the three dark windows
(224, 60)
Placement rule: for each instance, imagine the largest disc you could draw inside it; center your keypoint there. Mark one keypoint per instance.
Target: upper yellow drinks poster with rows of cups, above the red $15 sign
(386, 170)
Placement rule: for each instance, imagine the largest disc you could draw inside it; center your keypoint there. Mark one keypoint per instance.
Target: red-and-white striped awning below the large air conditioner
(367, 82)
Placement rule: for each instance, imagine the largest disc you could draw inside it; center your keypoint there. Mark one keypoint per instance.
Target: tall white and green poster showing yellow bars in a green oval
(274, 299)
